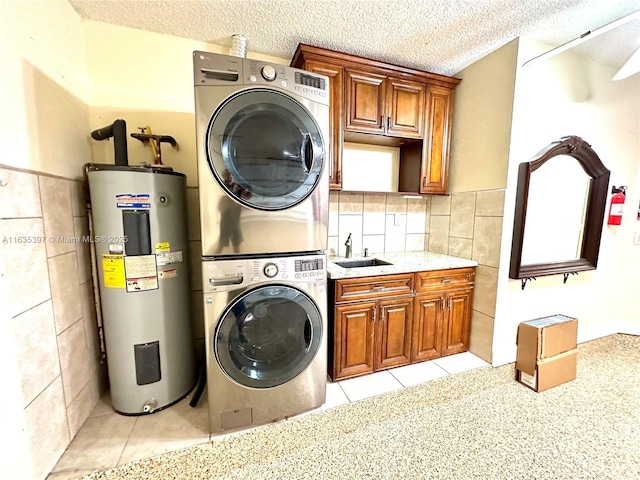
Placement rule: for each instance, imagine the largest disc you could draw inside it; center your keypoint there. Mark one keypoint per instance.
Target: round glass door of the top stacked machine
(264, 149)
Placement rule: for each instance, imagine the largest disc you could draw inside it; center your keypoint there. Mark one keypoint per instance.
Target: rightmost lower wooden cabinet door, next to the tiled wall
(458, 322)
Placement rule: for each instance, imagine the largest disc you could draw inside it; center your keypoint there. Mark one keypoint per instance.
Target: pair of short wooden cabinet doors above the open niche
(382, 105)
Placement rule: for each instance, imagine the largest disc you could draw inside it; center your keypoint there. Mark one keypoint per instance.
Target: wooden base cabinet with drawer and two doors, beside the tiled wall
(443, 306)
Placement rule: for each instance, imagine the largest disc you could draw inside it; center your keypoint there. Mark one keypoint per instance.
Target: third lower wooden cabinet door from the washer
(427, 327)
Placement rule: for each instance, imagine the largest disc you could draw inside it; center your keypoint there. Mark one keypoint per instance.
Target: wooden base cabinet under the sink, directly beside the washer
(371, 320)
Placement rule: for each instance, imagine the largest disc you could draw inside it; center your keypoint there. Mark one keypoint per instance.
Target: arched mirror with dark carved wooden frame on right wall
(560, 205)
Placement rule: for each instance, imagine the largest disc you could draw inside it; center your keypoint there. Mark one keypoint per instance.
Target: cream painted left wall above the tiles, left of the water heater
(44, 121)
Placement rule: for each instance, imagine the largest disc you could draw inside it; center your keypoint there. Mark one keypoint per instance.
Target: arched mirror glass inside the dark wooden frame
(556, 211)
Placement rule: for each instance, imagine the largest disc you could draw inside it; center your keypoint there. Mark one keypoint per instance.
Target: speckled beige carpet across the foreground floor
(480, 424)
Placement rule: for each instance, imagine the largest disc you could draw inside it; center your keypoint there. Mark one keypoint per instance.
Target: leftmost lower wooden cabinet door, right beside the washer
(354, 339)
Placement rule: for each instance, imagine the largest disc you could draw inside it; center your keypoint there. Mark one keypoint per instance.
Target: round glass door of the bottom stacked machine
(268, 336)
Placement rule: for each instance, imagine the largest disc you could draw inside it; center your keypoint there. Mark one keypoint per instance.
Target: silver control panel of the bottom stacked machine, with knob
(230, 274)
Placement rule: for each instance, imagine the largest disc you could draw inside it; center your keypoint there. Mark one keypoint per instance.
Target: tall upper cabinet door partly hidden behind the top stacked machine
(336, 89)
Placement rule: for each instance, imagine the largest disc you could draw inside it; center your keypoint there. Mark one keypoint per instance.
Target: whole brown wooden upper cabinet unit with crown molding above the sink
(379, 103)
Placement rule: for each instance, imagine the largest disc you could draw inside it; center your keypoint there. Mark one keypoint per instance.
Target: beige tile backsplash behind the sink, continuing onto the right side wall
(467, 225)
